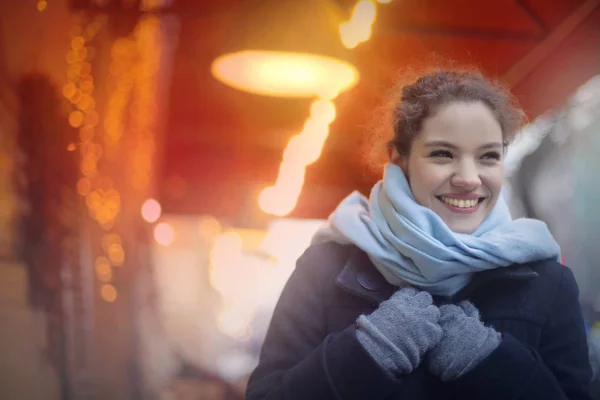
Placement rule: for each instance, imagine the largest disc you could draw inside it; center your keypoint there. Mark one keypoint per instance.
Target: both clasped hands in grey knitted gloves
(408, 327)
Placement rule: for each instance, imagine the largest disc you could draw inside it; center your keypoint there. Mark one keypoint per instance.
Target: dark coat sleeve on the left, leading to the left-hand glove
(300, 360)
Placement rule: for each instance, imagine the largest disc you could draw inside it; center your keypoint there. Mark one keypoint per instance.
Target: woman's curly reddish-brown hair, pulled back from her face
(410, 103)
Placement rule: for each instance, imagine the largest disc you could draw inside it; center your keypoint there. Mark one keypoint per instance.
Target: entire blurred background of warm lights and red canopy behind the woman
(163, 163)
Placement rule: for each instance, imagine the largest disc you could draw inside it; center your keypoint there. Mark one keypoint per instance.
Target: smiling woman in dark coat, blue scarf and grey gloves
(428, 289)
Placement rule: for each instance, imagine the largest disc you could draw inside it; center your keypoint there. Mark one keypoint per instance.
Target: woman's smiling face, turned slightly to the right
(455, 166)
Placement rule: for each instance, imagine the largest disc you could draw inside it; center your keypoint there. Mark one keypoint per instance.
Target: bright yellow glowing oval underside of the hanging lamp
(285, 74)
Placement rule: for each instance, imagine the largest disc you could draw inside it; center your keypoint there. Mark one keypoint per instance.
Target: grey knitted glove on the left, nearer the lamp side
(400, 331)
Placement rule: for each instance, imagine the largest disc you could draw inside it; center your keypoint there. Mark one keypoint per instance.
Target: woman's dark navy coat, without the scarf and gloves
(311, 350)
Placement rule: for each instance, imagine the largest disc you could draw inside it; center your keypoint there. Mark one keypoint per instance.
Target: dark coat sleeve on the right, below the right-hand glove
(558, 370)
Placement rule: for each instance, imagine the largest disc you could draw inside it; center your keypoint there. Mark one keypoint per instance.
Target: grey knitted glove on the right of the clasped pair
(466, 341)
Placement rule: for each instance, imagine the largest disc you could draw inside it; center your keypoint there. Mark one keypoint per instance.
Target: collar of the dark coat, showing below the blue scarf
(360, 277)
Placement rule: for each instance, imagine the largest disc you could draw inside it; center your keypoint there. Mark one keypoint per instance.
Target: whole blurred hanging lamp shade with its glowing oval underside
(287, 48)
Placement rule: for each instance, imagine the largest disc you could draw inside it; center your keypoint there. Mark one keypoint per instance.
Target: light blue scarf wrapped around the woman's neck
(409, 243)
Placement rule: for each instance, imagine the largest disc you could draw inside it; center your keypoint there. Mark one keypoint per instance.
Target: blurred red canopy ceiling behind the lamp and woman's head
(224, 145)
